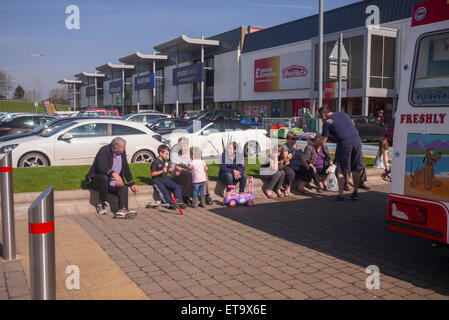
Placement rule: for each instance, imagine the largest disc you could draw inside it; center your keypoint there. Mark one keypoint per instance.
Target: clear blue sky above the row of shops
(113, 29)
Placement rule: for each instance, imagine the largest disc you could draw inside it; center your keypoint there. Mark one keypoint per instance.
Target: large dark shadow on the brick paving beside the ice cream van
(354, 231)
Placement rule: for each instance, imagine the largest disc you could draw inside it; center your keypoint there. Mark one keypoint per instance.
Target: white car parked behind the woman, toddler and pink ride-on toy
(213, 136)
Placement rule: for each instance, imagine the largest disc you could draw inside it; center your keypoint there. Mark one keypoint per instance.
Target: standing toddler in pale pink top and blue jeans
(198, 169)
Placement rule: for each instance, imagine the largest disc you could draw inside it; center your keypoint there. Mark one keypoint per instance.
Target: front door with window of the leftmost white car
(86, 140)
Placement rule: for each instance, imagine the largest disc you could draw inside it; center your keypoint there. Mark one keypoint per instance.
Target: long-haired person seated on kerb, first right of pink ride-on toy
(273, 170)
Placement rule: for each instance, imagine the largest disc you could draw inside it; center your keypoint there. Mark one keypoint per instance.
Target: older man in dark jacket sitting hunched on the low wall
(107, 175)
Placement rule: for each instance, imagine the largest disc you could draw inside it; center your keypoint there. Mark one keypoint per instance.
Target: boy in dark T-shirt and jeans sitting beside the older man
(159, 170)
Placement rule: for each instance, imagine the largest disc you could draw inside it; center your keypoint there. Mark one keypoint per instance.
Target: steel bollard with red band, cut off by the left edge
(7, 196)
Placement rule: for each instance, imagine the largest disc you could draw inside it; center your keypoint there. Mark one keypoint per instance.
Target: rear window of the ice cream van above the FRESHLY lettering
(430, 85)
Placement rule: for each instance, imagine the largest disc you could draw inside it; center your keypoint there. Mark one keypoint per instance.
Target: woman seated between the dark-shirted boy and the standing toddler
(183, 176)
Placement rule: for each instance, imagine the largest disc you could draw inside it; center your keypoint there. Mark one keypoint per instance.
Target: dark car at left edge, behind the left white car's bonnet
(23, 123)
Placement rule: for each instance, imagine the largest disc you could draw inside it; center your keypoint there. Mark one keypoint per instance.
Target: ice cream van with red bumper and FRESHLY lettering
(418, 203)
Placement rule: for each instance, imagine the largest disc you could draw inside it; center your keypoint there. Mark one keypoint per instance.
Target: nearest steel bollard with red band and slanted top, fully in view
(42, 246)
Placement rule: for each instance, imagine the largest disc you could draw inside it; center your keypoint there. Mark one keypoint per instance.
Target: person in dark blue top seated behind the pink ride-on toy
(232, 168)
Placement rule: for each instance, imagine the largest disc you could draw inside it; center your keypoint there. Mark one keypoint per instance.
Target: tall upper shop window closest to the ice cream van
(383, 55)
